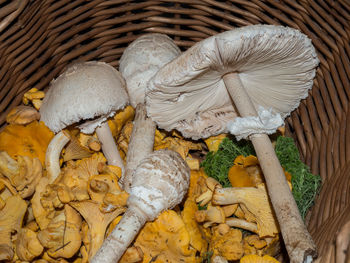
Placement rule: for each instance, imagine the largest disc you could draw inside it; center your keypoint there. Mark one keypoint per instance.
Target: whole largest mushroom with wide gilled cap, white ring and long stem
(262, 71)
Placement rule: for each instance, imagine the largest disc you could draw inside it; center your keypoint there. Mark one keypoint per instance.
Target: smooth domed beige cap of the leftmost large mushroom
(85, 91)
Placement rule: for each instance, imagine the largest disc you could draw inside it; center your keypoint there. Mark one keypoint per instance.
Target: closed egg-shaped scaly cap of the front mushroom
(160, 182)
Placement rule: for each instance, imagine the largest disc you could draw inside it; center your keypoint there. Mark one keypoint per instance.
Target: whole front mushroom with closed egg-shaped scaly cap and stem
(160, 183)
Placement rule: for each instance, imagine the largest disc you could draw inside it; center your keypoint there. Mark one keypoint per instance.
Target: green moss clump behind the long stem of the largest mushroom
(305, 184)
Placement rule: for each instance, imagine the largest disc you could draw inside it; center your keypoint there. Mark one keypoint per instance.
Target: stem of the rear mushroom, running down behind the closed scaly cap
(140, 145)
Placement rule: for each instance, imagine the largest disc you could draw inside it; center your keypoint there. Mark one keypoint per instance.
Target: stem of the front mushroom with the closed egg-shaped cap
(121, 237)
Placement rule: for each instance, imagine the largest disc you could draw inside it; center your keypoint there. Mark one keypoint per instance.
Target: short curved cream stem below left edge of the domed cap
(52, 155)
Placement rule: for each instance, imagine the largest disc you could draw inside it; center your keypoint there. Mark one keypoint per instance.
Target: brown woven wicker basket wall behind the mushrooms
(39, 38)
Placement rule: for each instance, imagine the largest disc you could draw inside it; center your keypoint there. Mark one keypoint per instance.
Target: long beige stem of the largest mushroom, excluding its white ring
(297, 239)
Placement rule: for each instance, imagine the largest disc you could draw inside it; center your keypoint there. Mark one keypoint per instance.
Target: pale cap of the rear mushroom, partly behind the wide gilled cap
(142, 59)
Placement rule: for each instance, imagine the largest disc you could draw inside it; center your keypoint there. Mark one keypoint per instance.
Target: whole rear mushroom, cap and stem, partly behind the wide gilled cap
(138, 64)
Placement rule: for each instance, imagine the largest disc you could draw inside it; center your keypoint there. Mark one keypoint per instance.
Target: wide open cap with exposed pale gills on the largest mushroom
(276, 66)
